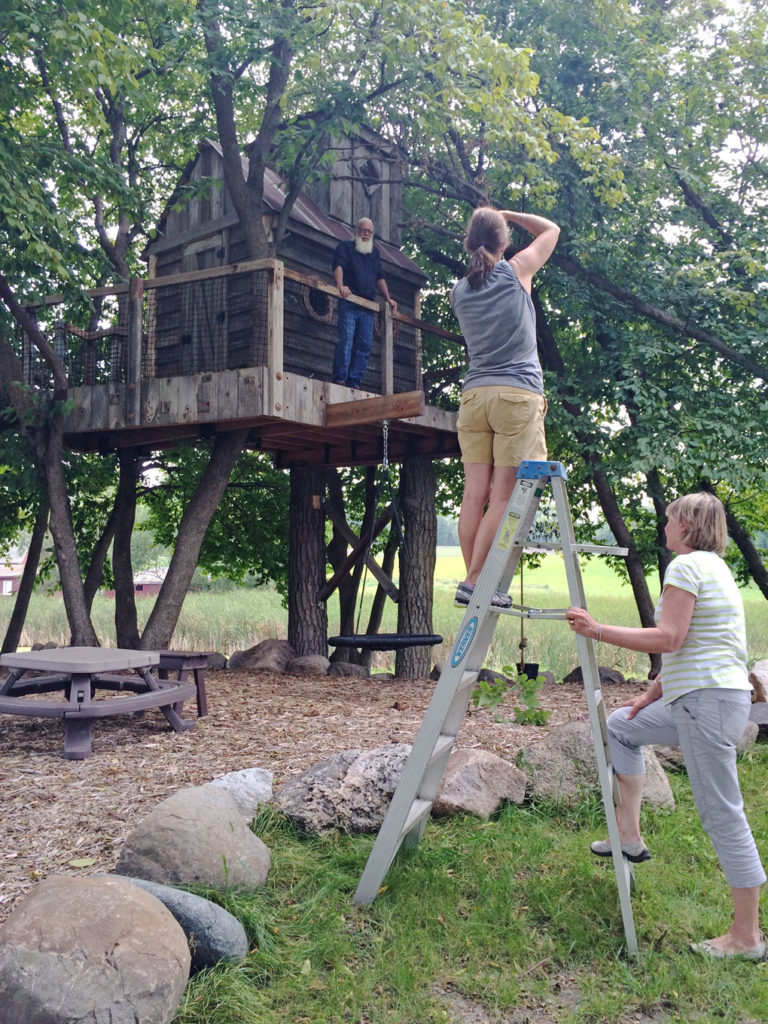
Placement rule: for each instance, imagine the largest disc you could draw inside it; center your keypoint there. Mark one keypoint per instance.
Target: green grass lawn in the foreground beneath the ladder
(501, 918)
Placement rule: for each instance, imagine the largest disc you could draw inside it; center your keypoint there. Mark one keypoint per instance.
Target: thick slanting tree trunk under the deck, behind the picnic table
(202, 506)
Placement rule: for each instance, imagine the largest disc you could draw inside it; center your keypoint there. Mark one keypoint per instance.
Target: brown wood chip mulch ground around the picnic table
(70, 818)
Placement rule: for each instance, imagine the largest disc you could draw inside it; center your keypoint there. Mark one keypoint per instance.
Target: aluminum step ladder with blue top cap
(420, 782)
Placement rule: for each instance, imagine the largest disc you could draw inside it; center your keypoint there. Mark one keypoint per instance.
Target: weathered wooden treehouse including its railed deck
(211, 342)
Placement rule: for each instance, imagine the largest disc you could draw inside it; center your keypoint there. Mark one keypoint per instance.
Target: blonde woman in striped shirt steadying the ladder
(700, 703)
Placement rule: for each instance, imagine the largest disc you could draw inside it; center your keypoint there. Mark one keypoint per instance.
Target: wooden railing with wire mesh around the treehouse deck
(257, 314)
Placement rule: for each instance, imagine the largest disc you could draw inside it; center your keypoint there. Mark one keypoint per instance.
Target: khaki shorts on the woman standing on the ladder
(502, 425)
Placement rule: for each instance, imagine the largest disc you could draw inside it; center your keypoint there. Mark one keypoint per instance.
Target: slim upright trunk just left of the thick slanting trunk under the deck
(126, 621)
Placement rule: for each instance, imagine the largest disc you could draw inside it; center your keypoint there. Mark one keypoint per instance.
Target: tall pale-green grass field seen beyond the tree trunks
(239, 619)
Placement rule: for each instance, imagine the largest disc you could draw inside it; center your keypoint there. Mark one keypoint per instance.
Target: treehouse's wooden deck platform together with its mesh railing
(242, 347)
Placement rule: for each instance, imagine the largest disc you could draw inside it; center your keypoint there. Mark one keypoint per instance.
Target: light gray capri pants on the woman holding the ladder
(706, 726)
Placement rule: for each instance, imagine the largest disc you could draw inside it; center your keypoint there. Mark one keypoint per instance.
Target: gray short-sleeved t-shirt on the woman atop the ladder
(499, 326)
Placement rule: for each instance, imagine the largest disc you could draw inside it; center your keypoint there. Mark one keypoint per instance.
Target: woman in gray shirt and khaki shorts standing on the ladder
(501, 417)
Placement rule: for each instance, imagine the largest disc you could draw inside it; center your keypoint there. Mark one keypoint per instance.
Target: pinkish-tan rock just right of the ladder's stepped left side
(479, 783)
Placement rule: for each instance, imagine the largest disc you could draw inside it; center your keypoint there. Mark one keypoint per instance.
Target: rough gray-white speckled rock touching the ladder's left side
(351, 791)
